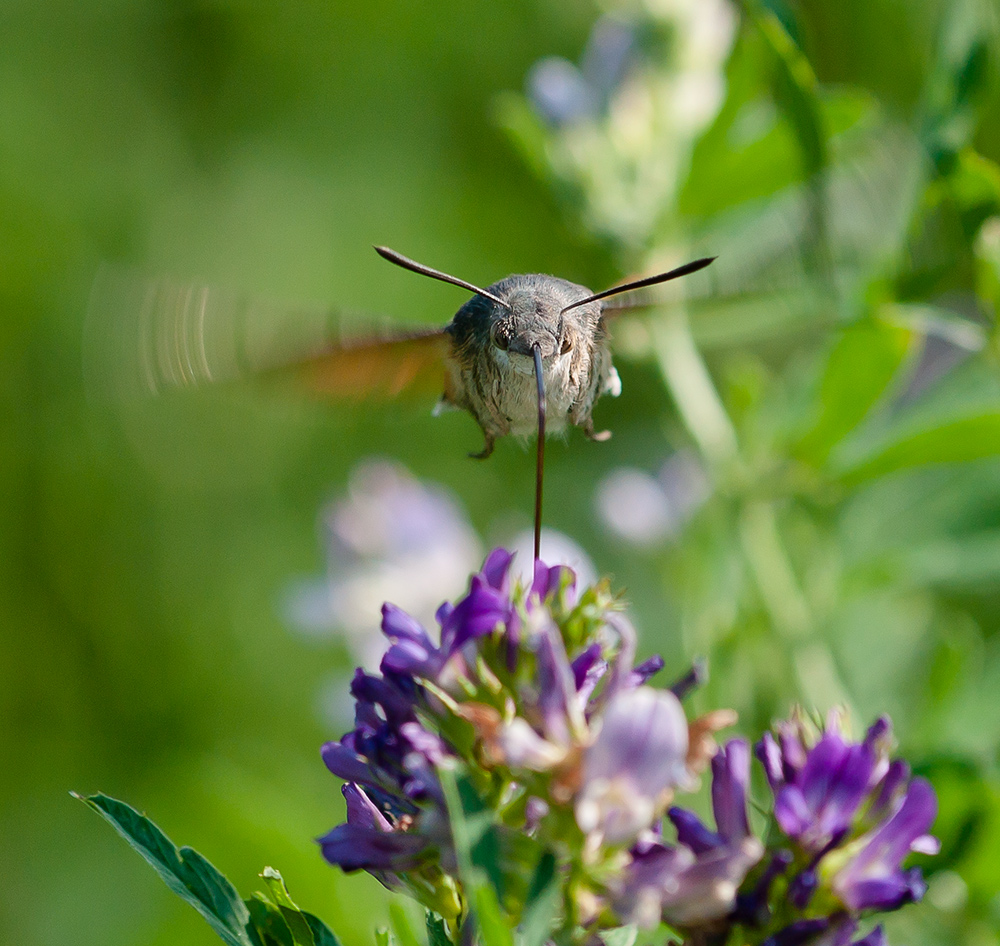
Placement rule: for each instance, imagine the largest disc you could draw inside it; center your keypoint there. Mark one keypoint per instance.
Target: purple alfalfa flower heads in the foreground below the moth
(531, 716)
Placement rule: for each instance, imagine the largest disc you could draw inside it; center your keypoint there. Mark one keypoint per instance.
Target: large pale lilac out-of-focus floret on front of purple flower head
(638, 756)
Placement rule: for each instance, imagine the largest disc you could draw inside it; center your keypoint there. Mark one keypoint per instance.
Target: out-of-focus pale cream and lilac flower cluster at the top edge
(616, 130)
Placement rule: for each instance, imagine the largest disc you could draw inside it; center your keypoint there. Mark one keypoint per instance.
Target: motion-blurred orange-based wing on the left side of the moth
(144, 337)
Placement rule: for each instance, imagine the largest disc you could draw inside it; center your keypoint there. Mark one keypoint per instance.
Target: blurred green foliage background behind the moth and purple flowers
(832, 391)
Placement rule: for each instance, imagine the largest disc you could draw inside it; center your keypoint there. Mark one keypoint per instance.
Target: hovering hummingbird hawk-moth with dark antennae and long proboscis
(527, 354)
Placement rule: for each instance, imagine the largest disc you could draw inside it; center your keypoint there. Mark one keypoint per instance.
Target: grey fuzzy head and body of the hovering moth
(491, 368)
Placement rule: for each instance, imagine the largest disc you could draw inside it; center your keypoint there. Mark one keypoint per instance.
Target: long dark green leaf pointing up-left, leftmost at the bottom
(183, 870)
